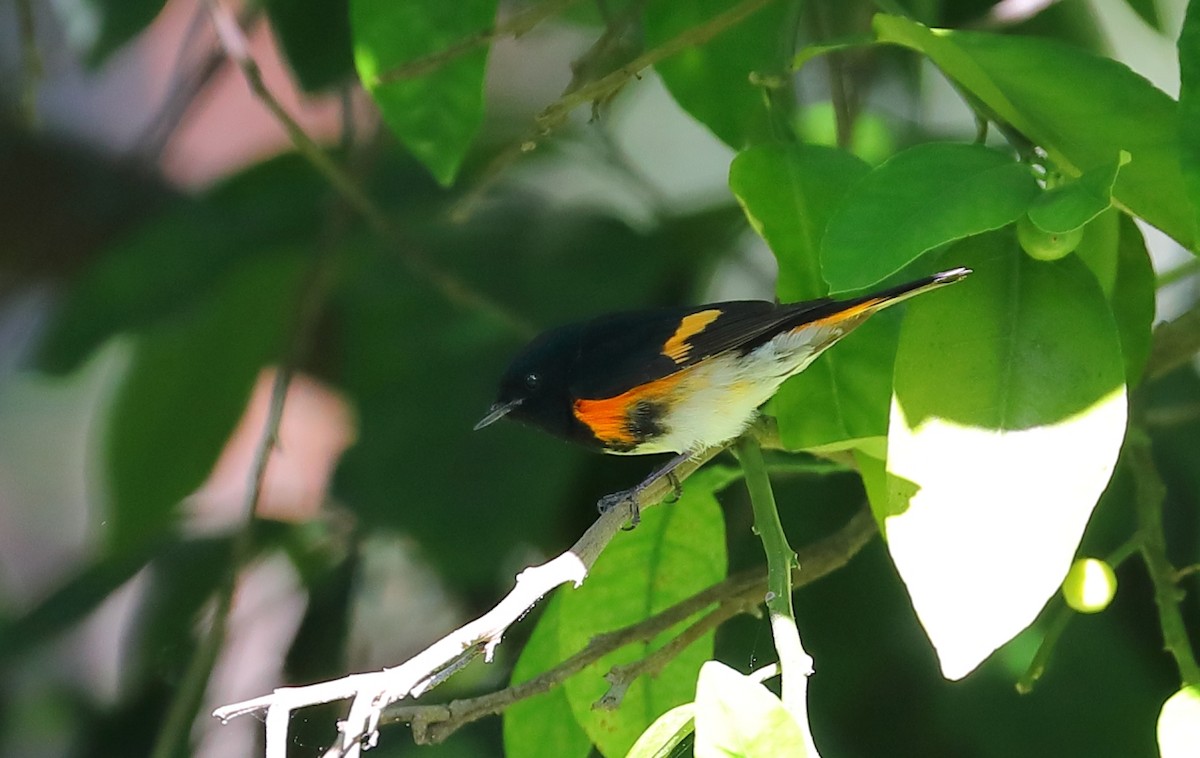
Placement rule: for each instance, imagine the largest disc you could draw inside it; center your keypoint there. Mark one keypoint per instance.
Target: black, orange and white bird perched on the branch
(677, 380)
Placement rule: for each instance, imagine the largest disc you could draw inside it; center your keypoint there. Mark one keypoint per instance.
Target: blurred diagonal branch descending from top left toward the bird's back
(236, 46)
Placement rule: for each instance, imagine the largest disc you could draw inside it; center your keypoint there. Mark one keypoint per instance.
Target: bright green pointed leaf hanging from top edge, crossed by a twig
(435, 116)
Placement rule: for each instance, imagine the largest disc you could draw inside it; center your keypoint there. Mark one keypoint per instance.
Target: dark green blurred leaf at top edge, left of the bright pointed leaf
(316, 39)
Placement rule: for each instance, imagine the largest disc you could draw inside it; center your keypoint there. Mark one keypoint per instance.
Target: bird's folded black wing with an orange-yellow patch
(621, 351)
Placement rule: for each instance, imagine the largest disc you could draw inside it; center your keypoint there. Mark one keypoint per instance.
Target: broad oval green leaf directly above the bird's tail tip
(920, 200)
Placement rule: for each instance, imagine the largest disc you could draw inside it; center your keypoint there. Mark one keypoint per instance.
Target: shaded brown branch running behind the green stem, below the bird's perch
(743, 592)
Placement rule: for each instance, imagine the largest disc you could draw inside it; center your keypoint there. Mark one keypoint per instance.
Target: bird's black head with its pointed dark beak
(536, 387)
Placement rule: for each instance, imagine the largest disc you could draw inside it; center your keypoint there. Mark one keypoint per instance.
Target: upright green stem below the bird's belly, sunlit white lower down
(796, 665)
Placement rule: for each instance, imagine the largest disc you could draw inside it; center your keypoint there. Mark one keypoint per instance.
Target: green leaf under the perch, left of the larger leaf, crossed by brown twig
(543, 726)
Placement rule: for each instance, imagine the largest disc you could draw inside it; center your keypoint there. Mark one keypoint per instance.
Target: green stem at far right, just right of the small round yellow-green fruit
(1149, 496)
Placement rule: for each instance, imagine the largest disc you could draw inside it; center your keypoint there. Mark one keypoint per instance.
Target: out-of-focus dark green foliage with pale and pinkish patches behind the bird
(163, 244)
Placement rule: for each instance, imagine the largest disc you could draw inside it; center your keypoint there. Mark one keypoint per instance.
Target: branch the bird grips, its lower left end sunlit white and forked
(375, 691)
